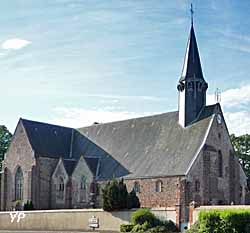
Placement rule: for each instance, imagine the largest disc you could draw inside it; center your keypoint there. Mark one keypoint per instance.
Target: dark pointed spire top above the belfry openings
(192, 64)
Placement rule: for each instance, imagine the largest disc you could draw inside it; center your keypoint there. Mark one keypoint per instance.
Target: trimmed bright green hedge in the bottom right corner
(223, 221)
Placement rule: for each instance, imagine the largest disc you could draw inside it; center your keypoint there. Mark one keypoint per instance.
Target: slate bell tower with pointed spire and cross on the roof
(191, 87)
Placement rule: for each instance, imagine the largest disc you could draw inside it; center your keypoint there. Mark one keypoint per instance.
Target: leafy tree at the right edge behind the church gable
(242, 149)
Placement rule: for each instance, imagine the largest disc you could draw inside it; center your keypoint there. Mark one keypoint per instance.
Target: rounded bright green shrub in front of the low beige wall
(141, 216)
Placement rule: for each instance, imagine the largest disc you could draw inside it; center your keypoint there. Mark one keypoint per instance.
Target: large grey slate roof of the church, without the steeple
(143, 147)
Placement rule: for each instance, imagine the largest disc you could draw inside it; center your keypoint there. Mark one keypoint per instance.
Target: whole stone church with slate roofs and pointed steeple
(170, 159)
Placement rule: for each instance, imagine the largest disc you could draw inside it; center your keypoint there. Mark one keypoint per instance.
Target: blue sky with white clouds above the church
(73, 62)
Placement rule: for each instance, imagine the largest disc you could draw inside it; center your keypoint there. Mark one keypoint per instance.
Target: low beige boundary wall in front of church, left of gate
(73, 220)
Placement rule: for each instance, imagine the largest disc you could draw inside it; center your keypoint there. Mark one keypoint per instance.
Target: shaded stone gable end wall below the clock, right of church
(205, 183)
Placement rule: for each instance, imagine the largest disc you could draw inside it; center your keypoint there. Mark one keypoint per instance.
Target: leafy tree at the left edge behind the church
(5, 138)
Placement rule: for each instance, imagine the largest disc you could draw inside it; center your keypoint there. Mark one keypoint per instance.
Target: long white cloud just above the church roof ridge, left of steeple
(79, 117)
